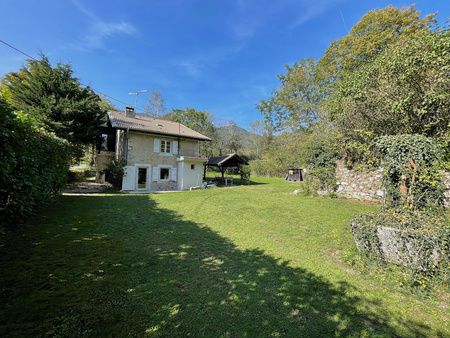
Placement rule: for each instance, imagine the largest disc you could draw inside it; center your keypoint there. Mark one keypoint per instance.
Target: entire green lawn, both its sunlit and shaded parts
(253, 261)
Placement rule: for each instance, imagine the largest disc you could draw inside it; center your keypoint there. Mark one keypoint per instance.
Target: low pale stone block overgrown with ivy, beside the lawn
(416, 240)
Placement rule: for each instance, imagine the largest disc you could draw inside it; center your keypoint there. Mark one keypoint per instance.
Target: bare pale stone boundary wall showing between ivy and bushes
(367, 185)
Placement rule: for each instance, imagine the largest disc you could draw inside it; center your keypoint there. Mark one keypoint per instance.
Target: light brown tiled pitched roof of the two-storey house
(153, 126)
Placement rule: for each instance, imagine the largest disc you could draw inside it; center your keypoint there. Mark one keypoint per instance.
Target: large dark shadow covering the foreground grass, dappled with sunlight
(128, 267)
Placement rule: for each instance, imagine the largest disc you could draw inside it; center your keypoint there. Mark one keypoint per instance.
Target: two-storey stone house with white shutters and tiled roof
(161, 155)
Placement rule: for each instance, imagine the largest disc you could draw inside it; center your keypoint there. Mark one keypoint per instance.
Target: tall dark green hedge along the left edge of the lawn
(33, 165)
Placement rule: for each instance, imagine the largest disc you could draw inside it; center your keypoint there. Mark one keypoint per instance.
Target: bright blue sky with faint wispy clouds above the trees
(216, 55)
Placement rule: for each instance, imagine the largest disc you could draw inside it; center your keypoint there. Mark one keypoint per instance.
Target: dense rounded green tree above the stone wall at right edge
(405, 90)
